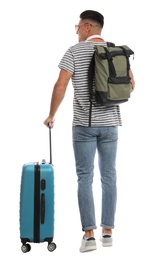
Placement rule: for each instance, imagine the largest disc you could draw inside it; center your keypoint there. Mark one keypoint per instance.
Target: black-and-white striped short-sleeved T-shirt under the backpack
(76, 60)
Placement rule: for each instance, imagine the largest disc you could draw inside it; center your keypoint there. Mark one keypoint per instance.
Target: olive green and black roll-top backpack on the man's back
(108, 75)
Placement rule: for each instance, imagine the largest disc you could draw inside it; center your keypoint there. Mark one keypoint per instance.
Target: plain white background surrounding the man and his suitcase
(34, 34)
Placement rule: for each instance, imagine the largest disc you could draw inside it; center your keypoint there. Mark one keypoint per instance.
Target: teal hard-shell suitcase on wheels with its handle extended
(37, 204)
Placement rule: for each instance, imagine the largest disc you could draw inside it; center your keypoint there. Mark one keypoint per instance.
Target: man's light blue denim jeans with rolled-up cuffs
(86, 140)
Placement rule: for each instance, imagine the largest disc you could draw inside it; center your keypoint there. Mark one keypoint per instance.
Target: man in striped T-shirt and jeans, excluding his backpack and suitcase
(101, 136)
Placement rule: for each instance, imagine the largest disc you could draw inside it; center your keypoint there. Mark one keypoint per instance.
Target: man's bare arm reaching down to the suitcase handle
(58, 94)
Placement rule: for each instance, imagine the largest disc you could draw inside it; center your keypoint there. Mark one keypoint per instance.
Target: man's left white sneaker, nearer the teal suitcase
(88, 244)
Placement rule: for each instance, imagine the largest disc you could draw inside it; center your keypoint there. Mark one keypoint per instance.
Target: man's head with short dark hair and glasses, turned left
(91, 23)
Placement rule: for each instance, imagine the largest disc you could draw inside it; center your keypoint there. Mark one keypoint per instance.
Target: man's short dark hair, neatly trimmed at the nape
(94, 16)
